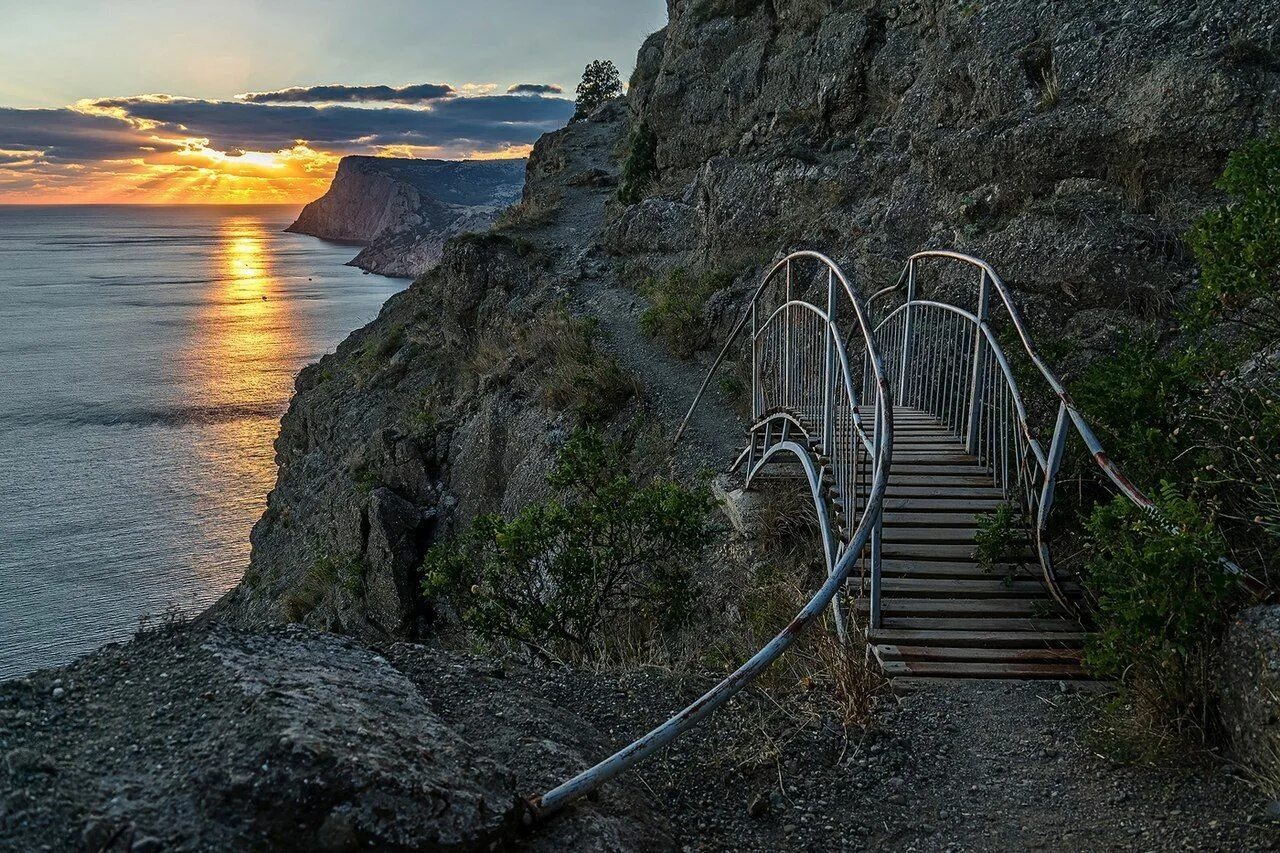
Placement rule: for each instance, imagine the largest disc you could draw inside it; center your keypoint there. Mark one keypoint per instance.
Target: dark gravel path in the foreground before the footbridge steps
(967, 767)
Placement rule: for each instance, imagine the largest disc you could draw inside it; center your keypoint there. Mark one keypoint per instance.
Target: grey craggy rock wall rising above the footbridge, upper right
(1069, 144)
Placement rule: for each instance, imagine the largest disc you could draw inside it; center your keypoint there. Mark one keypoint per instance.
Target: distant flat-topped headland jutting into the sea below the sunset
(404, 211)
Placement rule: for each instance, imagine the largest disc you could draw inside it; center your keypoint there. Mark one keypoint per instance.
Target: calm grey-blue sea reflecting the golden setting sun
(147, 357)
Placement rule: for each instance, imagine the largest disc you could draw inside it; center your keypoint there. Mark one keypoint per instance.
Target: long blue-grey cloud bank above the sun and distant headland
(490, 121)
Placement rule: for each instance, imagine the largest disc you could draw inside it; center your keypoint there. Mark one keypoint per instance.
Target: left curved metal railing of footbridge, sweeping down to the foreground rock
(816, 469)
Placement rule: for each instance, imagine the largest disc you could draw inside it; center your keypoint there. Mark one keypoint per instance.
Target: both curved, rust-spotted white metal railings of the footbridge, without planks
(819, 373)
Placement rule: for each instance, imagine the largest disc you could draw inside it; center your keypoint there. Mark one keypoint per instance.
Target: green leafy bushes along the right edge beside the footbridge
(1199, 416)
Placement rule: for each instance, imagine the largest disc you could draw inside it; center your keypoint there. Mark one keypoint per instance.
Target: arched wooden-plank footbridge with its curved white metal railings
(906, 418)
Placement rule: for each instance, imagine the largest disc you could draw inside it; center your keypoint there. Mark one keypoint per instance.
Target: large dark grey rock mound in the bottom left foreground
(285, 741)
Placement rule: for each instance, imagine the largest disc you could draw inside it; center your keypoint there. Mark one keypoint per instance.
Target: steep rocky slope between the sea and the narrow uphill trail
(426, 418)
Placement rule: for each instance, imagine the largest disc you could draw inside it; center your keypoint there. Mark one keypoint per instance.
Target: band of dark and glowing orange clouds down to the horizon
(162, 148)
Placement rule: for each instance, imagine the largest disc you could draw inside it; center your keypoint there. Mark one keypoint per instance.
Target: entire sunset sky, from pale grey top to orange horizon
(243, 102)
